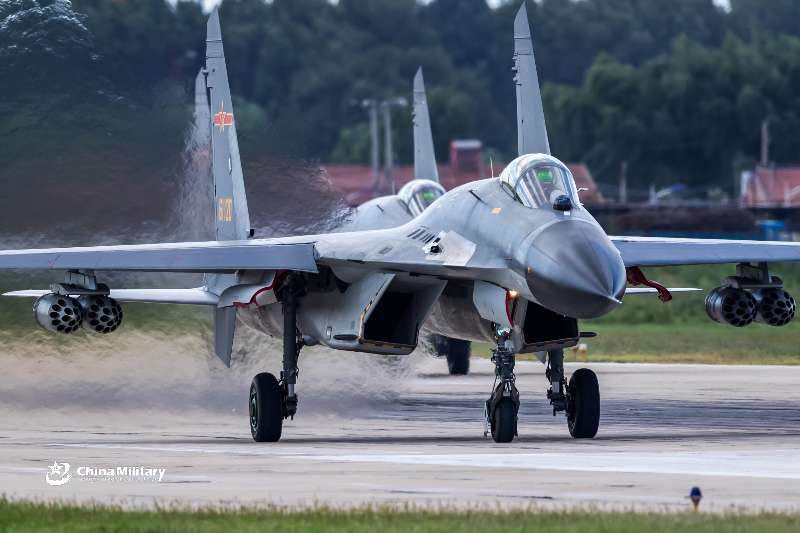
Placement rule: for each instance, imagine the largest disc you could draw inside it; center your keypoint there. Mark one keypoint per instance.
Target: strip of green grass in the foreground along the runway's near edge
(22, 517)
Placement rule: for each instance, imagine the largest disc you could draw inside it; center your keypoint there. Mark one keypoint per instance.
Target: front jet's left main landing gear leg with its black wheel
(273, 400)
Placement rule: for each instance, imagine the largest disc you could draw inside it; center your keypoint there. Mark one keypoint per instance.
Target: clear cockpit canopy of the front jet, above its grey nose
(540, 180)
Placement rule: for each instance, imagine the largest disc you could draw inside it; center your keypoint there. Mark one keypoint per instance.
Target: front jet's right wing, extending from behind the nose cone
(662, 251)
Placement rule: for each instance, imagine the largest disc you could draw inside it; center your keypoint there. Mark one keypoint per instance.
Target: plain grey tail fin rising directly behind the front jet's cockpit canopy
(531, 127)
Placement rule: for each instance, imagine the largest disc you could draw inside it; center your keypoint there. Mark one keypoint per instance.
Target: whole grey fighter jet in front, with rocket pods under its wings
(515, 260)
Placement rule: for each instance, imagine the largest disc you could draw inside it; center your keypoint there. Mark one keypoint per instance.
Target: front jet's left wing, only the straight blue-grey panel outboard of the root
(202, 257)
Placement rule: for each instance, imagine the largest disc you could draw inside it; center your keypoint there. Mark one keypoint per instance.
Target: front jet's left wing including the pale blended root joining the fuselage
(376, 249)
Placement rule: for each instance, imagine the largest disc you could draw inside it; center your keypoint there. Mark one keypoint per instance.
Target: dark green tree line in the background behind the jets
(676, 92)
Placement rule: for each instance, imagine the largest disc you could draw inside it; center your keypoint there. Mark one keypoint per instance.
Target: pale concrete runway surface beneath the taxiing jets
(371, 431)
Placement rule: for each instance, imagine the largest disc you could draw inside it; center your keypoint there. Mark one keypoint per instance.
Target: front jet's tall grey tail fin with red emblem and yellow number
(232, 218)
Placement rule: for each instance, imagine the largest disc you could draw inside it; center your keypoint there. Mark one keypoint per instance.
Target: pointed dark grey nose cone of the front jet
(575, 270)
